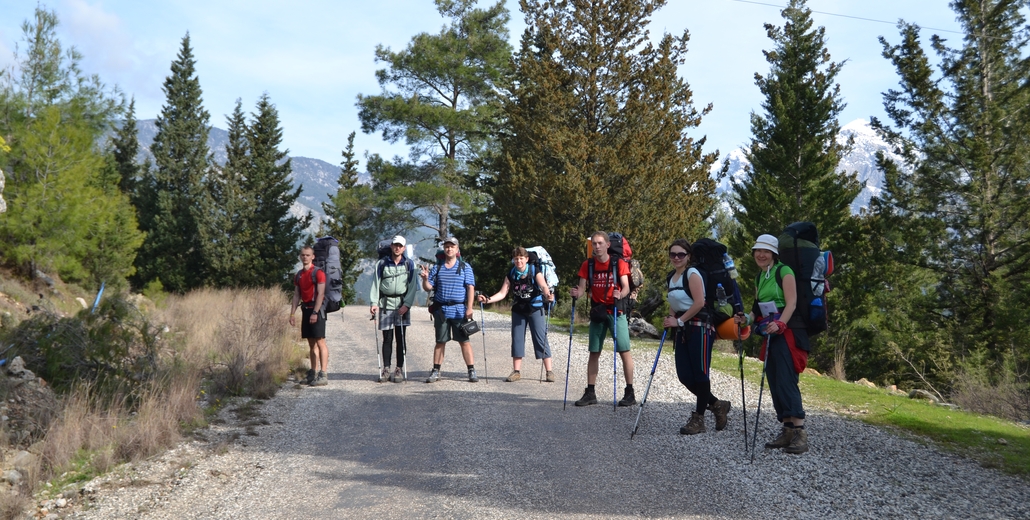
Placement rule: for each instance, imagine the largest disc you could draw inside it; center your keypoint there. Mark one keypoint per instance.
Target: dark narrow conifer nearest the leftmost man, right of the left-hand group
(268, 184)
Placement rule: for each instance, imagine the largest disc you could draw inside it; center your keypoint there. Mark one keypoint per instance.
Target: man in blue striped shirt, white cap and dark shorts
(455, 288)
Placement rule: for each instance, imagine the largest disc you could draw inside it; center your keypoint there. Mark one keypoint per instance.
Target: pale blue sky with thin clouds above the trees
(315, 57)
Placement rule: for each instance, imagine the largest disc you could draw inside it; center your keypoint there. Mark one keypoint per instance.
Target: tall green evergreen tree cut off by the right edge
(960, 199)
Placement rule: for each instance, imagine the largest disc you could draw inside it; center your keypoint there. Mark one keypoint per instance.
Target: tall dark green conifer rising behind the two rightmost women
(795, 153)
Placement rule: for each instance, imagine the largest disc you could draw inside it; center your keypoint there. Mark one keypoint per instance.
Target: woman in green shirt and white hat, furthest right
(785, 343)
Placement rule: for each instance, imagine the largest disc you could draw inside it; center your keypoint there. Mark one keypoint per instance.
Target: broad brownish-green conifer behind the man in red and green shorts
(597, 133)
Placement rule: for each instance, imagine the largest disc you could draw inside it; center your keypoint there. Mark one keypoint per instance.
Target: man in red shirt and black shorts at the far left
(310, 292)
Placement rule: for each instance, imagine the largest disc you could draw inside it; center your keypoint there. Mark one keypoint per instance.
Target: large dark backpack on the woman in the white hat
(800, 251)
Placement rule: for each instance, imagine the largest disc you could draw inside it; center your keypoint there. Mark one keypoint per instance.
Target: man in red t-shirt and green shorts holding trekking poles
(605, 292)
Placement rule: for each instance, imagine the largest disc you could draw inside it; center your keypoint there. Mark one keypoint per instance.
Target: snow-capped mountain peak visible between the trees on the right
(862, 160)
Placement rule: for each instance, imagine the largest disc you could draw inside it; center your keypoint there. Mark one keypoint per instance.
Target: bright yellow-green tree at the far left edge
(66, 215)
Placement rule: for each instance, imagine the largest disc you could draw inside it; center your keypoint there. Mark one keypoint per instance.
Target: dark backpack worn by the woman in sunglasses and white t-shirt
(712, 260)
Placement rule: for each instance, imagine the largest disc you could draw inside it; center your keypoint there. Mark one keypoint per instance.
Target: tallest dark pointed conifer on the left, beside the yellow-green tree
(173, 253)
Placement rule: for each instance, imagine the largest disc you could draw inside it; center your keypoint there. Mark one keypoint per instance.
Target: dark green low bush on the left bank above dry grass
(115, 350)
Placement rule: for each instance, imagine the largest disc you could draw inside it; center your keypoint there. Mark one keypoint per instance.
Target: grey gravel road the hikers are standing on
(454, 449)
